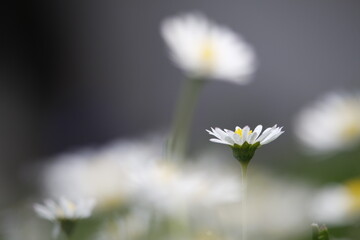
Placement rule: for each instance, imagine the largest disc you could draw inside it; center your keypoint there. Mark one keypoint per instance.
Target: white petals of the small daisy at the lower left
(65, 209)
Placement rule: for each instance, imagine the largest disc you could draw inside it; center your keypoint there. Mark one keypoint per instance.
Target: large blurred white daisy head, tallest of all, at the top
(204, 49)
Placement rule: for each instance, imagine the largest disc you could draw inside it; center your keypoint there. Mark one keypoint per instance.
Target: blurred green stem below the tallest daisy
(177, 143)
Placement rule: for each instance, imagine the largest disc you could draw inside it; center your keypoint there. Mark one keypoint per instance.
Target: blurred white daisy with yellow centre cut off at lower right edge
(337, 204)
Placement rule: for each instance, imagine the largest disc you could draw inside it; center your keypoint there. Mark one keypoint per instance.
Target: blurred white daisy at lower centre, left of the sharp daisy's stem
(170, 189)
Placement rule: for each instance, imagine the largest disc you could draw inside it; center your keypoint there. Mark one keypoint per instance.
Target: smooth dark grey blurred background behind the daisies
(77, 74)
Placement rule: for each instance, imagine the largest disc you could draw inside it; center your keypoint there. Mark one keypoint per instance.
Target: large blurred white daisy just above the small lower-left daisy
(104, 174)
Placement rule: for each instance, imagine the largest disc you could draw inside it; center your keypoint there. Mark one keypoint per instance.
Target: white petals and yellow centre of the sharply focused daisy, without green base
(242, 135)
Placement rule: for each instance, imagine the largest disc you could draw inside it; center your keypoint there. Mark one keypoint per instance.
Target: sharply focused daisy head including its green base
(244, 141)
